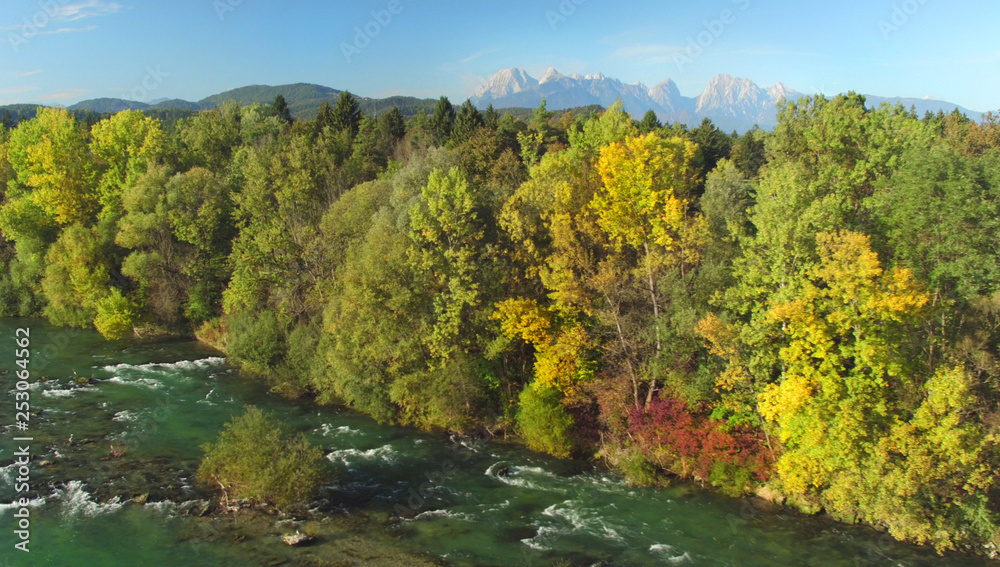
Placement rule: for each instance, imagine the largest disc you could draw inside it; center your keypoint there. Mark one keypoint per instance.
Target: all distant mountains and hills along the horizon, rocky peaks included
(731, 103)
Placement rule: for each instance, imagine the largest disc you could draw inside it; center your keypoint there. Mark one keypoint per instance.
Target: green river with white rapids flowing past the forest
(400, 496)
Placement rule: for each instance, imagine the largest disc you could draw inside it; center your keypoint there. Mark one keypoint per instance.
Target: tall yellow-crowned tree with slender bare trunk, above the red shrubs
(643, 205)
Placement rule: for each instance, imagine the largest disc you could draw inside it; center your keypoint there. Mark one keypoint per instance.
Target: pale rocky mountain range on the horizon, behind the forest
(731, 103)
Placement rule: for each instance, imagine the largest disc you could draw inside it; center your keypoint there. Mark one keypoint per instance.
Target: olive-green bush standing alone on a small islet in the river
(256, 460)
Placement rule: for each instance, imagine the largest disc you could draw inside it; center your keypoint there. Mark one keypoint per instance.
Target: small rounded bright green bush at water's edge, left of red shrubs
(544, 422)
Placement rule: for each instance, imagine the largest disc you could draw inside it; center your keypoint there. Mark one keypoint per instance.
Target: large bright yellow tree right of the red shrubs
(846, 364)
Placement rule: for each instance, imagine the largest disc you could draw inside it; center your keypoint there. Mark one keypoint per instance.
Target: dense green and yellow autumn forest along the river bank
(810, 314)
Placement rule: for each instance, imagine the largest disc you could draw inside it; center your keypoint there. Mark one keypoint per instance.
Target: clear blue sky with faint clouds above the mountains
(64, 51)
